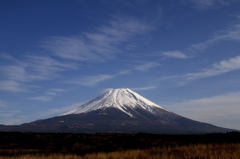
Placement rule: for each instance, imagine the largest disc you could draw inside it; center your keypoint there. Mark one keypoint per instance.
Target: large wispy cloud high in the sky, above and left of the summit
(102, 44)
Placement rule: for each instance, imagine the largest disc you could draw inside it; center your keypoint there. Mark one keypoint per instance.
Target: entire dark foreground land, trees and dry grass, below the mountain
(27, 145)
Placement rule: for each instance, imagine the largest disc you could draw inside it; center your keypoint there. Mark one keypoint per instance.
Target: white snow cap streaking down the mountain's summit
(122, 99)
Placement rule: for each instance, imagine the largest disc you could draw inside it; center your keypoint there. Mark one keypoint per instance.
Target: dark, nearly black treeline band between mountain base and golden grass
(12, 143)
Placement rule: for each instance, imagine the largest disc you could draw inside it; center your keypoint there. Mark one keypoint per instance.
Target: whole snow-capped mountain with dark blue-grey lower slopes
(121, 111)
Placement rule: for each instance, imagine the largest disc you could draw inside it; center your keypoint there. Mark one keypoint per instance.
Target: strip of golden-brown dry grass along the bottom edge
(200, 151)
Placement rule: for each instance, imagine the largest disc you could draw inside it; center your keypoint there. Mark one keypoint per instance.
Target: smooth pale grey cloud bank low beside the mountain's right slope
(223, 110)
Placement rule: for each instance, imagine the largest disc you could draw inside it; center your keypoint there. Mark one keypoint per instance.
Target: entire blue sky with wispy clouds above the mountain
(181, 54)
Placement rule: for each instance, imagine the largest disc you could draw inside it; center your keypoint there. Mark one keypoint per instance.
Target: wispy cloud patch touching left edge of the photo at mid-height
(16, 74)
